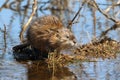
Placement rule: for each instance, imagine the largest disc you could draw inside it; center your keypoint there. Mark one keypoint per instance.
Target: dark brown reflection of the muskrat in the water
(42, 71)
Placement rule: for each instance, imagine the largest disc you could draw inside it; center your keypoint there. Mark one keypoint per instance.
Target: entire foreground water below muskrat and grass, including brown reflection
(107, 69)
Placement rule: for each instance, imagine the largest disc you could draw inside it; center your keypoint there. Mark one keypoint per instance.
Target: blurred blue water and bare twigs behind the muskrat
(95, 19)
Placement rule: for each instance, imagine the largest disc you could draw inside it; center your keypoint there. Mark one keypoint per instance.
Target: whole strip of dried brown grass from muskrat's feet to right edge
(102, 49)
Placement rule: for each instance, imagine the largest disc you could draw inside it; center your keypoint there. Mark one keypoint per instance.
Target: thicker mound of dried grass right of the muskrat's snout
(105, 49)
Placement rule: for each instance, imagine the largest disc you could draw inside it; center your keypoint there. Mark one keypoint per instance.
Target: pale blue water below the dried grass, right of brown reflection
(108, 69)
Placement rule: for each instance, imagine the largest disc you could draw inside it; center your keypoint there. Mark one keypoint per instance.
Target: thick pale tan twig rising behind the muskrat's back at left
(31, 16)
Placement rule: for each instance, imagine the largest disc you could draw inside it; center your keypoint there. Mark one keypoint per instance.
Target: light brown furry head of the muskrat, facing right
(63, 38)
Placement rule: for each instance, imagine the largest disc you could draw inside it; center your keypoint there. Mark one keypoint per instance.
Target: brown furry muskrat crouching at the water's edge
(47, 34)
